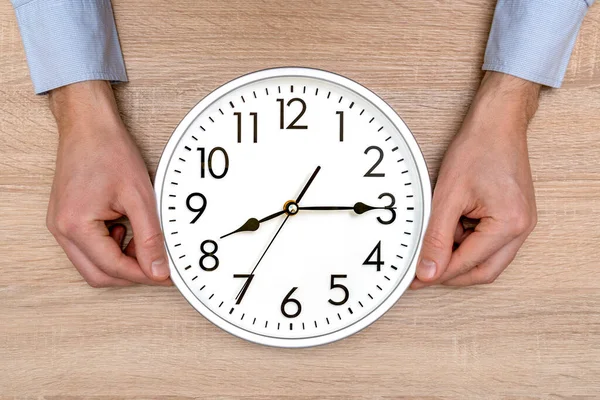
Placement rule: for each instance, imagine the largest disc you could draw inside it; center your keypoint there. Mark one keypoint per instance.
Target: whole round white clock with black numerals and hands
(293, 203)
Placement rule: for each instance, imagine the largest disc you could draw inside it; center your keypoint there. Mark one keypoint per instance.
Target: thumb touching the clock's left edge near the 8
(149, 241)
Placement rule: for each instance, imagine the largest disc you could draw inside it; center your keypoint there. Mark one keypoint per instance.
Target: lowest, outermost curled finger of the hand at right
(488, 271)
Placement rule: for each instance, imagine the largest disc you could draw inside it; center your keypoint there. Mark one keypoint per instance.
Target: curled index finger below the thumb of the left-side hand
(102, 250)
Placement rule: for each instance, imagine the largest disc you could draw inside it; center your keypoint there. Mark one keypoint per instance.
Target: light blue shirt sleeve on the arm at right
(533, 39)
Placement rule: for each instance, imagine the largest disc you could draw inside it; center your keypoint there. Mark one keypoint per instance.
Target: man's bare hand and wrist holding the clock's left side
(100, 176)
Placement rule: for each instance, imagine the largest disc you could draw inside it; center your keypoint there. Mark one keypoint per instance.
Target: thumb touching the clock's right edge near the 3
(439, 238)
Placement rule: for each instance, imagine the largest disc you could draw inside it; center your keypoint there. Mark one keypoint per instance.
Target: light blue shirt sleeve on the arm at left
(68, 41)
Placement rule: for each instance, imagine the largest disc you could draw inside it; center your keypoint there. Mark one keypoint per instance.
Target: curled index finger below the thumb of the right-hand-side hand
(488, 238)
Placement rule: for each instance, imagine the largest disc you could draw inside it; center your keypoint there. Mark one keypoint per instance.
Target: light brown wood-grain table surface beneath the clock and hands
(534, 333)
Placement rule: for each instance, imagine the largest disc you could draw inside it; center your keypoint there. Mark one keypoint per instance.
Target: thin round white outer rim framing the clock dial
(393, 118)
